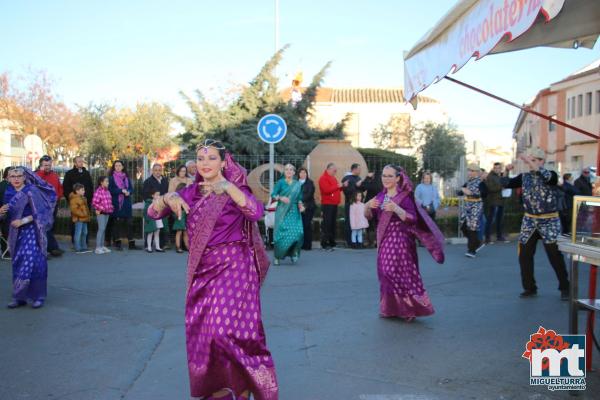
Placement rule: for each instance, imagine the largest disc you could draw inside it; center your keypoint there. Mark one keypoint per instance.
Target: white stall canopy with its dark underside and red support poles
(475, 28)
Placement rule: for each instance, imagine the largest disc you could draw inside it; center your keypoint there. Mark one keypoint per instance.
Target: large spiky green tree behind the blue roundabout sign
(235, 124)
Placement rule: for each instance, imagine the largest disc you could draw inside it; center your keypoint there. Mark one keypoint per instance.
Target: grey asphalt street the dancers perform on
(113, 329)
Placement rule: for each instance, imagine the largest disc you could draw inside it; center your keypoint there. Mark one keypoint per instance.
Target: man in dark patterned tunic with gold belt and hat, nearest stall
(541, 220)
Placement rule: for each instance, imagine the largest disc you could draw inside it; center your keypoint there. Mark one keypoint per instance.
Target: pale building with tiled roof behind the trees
(369, 108)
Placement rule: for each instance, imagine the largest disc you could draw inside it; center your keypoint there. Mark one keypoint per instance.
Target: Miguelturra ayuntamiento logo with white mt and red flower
(556, 361)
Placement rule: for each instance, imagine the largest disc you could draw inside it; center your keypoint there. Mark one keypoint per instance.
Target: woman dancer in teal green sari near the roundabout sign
(289, 233)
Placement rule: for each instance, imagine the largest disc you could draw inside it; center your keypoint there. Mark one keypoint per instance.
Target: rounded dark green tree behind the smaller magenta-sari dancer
(441, 147)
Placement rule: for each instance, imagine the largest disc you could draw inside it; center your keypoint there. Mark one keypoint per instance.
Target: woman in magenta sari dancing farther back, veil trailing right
(401, 222)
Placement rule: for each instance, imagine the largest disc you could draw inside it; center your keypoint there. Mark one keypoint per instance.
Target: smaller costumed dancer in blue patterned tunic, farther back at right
(470, 217)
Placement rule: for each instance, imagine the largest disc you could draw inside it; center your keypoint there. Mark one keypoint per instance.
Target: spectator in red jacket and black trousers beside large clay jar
(330, 199)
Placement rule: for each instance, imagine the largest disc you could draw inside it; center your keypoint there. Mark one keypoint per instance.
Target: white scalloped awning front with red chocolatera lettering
(471, 28)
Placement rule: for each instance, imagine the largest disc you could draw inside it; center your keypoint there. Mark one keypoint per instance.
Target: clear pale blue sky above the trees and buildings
(134, 50)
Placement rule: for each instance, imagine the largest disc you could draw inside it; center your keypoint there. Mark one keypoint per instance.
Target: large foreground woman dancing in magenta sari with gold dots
(226, 346)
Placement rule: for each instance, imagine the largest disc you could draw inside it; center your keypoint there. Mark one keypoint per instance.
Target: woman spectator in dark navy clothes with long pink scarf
(121, 189)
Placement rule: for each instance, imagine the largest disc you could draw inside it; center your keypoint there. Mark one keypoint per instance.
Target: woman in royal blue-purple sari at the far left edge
(30, 203)
